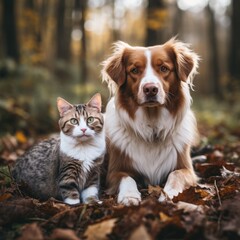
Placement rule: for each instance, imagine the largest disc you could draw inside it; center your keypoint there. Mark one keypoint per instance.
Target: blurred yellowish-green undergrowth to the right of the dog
(218, 120)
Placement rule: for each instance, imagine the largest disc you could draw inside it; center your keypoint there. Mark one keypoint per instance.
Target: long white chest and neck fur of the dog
(153, 158)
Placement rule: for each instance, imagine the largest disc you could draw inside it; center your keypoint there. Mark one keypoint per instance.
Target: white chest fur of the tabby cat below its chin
(85, 152)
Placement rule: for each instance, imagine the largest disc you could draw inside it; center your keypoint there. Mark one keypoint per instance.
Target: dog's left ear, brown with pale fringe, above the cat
(113, 67)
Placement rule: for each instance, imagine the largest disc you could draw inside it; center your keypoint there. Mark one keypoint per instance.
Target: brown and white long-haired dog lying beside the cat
(149, 124)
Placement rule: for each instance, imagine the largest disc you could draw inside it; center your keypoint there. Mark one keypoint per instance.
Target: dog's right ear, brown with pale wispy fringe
(186, 61)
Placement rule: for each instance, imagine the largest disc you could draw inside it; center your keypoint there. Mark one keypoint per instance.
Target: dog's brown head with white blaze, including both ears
(150, 76)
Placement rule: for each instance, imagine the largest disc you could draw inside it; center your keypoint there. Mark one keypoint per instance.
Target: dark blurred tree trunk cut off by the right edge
(234, 66)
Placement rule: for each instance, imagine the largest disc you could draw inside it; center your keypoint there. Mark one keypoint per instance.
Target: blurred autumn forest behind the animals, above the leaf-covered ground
(51, 48)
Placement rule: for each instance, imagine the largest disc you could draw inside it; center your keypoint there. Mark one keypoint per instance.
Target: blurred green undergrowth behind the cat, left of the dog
(28, 99)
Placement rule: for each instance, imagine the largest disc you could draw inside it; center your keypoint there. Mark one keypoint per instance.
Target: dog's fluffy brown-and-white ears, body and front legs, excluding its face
(150, 147)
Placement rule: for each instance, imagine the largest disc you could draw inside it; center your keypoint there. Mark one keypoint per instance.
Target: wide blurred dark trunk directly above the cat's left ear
(64, 29)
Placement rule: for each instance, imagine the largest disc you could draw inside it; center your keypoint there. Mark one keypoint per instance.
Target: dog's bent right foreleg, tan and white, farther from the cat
(177, 181)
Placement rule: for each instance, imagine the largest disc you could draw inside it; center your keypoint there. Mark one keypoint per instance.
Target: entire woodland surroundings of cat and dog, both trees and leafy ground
(51, 48)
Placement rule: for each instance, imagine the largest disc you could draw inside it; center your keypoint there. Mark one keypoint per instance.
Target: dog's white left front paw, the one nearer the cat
(128, 192)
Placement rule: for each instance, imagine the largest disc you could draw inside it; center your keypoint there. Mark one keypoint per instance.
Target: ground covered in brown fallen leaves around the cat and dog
(211, 210)
